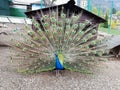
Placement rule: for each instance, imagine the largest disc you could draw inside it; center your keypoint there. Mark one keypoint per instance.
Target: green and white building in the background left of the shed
(16, 8)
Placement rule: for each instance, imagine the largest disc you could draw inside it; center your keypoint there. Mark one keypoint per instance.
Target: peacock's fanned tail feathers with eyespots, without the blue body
(56, 33)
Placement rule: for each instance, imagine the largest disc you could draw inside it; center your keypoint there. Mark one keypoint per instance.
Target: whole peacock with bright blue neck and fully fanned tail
(58, 42)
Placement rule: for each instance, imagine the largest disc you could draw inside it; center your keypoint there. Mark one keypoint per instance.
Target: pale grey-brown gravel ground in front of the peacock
(106, 77)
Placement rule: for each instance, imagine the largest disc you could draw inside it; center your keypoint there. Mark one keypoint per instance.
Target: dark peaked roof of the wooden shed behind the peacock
(69, 10)
